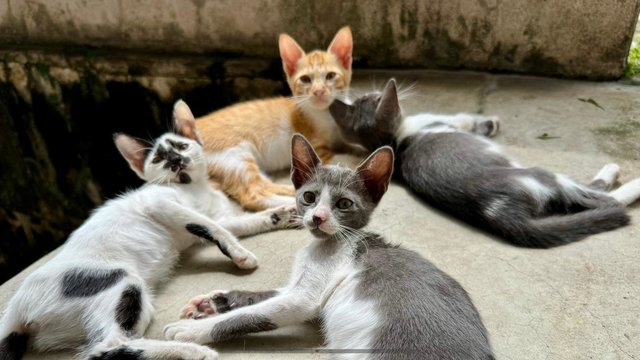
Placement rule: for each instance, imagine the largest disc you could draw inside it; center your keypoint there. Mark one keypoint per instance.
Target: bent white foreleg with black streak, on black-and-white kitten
(186, 222)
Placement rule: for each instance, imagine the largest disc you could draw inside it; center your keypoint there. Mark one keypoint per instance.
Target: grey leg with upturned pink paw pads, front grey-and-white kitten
(222, 301)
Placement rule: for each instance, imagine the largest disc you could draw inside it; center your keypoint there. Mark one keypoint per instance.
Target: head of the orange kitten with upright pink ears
(317, 78)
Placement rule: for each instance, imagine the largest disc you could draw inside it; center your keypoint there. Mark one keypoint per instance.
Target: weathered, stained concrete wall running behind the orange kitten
(574, 38)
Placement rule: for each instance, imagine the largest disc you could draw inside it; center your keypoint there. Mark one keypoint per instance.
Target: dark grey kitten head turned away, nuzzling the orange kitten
(372, 120)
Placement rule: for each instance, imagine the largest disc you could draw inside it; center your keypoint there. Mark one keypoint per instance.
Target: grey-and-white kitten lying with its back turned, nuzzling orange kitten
(448, 161)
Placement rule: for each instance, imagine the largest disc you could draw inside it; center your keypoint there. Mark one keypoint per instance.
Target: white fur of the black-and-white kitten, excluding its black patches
(141, 232)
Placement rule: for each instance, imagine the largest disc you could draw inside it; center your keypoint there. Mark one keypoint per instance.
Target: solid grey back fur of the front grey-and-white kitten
(426, 313)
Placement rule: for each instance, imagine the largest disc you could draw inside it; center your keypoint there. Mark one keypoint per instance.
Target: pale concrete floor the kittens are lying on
(579, 301)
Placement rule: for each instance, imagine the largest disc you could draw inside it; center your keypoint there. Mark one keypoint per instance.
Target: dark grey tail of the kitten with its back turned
(560, 229)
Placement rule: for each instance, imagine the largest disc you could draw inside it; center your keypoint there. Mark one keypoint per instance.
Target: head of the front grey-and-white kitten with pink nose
(333, 199)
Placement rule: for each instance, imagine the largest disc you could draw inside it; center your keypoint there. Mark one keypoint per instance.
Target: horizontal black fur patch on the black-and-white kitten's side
(83, 282)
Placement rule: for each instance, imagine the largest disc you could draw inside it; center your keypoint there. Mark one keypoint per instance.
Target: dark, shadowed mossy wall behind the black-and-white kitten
(58, 112)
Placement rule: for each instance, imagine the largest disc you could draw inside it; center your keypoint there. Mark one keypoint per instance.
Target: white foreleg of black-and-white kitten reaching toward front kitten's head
(282, 217)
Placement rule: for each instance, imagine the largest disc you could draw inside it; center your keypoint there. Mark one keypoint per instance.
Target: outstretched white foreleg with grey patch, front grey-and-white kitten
(281, 310)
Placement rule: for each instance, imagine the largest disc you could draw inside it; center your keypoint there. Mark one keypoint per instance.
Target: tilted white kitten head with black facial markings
(173, 158)
